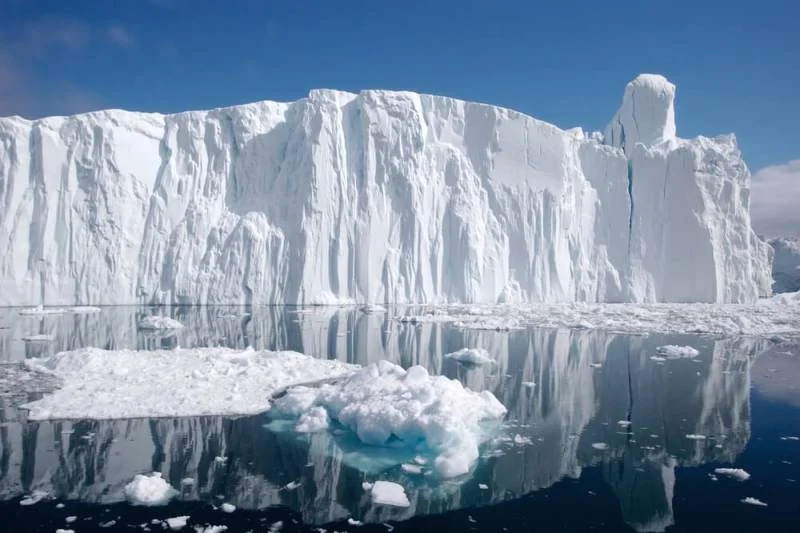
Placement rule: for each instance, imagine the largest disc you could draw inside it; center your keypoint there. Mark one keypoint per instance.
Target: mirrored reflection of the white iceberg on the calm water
(566, 391)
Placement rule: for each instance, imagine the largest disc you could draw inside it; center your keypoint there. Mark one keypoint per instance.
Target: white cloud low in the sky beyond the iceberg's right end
(775, 200)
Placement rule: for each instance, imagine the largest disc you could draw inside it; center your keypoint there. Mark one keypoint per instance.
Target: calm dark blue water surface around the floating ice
(549, 473)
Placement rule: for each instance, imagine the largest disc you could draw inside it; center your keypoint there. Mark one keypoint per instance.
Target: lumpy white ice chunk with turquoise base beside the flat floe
(386, 405)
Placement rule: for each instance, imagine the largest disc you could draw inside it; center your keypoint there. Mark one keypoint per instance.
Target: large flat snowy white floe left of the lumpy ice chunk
(102, 384)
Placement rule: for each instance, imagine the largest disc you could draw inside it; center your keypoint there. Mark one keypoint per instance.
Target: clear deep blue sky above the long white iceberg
(736, 64)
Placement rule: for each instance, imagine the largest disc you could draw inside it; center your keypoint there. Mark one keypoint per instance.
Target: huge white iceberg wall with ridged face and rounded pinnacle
(375, 197)
